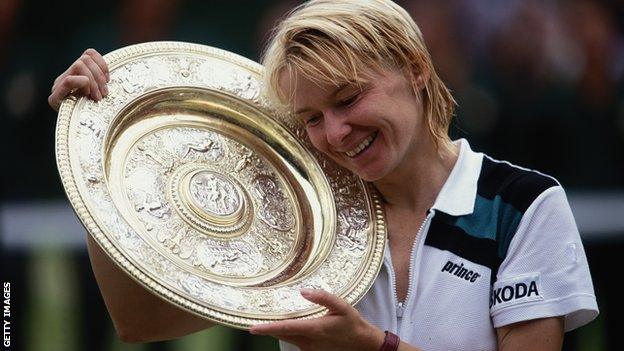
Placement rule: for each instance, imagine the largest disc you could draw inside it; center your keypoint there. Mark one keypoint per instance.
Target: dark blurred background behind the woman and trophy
(538, 83)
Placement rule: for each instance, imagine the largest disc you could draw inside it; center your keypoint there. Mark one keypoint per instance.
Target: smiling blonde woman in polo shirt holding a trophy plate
(482, 254)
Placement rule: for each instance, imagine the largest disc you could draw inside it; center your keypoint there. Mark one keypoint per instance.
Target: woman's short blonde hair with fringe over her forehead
(336, 41)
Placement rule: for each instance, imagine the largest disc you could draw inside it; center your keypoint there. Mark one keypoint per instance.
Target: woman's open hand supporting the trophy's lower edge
(342, 328)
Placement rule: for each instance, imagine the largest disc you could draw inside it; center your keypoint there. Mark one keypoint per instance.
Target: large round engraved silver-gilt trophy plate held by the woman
(207, 195)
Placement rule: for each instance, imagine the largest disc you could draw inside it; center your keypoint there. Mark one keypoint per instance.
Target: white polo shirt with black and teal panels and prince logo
(499, 246)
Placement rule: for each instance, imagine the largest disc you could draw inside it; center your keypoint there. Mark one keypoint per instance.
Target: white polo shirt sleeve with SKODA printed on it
(545, 272)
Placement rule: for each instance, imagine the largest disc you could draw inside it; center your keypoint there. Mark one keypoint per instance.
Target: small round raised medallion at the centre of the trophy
(210, 200)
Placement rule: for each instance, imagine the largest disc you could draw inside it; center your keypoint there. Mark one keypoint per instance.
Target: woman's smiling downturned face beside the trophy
(369, 131)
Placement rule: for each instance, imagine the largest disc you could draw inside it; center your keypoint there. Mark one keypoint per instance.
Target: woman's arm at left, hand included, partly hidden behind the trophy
(138, 315)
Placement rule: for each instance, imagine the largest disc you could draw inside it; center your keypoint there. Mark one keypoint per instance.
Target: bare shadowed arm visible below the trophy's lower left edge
(138, 315)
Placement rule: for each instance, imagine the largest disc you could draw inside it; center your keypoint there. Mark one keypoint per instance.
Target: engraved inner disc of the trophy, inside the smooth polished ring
(198, 213)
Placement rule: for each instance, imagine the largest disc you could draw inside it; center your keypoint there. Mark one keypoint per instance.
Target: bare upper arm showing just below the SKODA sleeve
(538, 334)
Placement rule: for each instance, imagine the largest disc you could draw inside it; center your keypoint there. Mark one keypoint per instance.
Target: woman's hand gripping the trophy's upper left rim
(86, 76)
